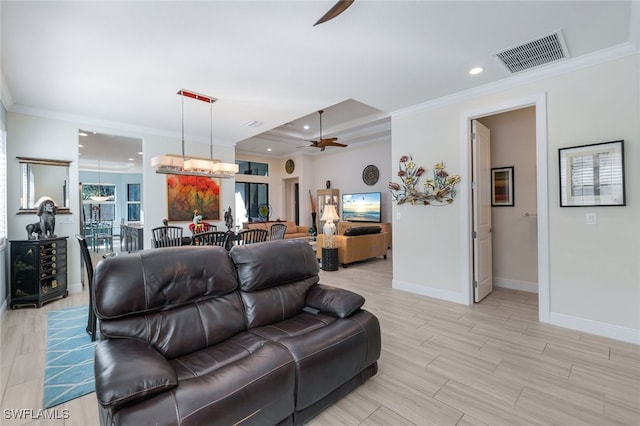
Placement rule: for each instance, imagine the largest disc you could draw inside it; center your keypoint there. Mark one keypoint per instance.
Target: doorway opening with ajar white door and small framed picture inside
(506, 193)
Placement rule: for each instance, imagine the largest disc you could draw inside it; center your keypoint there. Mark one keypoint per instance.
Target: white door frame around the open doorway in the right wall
(539, 101)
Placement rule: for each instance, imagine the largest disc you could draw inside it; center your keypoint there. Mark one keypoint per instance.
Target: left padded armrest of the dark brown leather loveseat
(126, 370)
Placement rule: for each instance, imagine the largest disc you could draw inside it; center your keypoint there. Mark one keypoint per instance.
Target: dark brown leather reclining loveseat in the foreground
(198, 335)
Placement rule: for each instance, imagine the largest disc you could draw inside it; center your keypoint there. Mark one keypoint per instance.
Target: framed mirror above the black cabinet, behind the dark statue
(43, 178)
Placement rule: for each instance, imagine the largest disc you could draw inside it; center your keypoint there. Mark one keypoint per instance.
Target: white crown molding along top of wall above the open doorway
(570, 65)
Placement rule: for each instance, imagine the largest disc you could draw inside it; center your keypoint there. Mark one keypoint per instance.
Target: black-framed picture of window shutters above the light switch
(592, 175)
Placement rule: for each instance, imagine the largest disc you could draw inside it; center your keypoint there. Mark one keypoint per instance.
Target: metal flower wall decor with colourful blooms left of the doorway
(439, 191)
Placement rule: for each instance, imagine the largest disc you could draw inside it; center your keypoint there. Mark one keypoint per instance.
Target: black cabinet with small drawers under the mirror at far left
(38, 271)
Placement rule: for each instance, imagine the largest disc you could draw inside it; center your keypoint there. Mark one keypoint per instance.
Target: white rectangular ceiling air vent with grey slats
(542, 51)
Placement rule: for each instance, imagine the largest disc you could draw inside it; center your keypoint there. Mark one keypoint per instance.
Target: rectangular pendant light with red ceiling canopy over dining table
(182, 165)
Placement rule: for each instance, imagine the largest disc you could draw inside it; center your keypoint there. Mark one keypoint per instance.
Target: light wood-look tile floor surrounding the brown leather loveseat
(492, 363)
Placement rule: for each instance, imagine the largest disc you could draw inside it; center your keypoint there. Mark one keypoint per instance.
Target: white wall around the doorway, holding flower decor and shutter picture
(594, 270)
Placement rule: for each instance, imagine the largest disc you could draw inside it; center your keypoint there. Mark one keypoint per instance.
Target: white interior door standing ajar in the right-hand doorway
(482, 267)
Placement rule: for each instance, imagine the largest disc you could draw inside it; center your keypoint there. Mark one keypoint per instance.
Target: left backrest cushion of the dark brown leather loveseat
(178, 299)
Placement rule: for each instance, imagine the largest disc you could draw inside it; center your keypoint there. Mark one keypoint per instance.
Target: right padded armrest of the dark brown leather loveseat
(334, 301)
